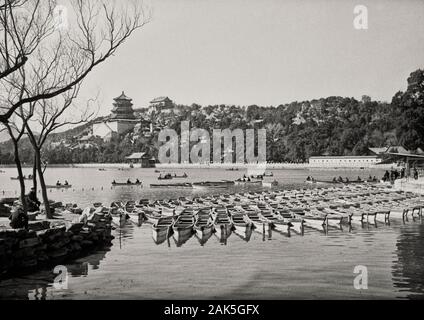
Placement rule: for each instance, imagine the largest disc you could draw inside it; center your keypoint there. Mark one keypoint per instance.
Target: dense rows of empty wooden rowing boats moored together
(286, 212)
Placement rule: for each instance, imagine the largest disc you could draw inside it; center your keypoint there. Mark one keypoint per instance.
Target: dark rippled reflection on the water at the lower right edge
(408, 270)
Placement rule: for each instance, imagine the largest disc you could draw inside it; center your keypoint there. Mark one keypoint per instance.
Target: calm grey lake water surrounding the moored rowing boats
(270, 266)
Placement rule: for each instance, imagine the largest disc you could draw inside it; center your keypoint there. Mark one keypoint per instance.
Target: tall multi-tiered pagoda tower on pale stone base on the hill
(119, 122)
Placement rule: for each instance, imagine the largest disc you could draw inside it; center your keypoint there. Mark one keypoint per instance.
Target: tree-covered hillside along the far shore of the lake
(295, 131)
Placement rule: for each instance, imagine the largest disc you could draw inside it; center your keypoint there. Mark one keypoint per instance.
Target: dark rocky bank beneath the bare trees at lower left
(49, 243)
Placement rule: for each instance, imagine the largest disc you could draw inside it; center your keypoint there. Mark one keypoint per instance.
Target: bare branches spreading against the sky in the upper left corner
(62, 58)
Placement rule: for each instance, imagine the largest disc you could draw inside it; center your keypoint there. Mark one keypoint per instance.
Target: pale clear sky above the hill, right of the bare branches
(264, 52)
